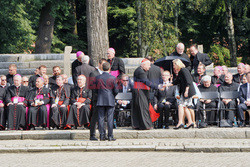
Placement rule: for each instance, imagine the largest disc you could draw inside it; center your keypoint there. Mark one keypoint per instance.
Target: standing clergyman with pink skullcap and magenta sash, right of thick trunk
(116, 63)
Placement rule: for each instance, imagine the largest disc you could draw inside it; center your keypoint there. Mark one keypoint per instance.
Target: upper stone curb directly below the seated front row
(209, 133)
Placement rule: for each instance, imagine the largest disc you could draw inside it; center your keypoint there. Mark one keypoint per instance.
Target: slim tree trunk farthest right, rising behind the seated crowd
(230, 30)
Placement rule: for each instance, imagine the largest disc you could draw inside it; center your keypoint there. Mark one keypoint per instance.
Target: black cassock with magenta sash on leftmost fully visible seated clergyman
(17, 112)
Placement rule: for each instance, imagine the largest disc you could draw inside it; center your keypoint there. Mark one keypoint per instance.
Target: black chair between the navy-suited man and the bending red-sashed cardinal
(124, 115)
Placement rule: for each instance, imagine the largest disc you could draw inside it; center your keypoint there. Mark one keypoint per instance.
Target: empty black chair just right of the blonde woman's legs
(211, 96)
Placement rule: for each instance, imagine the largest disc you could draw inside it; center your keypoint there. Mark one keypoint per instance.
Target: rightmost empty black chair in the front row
(228, 95)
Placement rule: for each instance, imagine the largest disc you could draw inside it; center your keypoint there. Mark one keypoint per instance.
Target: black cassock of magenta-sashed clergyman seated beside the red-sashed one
(37, 115)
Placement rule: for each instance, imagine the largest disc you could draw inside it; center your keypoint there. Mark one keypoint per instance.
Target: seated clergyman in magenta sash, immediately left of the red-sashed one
(37, 100)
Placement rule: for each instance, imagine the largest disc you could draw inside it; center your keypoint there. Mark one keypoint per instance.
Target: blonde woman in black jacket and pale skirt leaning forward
(187, 91)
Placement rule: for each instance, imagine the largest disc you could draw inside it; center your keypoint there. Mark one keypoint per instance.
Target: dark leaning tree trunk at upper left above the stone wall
(45, 30)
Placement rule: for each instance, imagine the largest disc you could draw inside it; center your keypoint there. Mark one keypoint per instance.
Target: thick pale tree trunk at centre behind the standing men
(97, 28)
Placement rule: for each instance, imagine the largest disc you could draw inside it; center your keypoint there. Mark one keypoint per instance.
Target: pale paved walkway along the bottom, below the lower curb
(125, 159)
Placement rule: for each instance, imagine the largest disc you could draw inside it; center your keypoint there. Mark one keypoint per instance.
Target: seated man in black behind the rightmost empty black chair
(228, 85)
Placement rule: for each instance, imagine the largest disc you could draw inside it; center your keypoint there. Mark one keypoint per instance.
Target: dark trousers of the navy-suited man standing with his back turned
(102, 111)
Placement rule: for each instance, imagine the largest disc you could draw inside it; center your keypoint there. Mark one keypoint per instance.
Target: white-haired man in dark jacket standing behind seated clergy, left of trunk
(84, 69)
